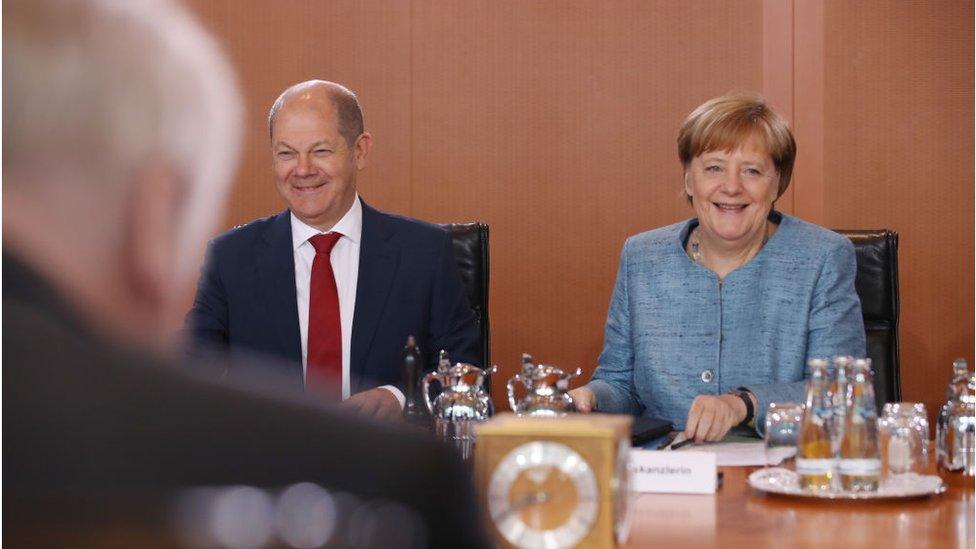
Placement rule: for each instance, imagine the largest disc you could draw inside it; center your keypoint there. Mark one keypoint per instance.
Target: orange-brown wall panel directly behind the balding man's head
(364, 45)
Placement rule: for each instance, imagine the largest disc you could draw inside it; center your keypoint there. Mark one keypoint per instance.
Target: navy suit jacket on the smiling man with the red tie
(408, 285)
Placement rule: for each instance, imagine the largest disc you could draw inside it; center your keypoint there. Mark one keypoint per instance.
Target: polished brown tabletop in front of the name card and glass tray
(739, 516)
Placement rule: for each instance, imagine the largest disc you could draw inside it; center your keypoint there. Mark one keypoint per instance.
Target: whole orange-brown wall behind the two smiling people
(555, 122)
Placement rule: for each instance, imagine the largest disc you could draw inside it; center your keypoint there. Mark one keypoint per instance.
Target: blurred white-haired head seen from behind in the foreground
(121, 132)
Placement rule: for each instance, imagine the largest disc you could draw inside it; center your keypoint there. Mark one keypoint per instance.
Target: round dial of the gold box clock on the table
(543, 494)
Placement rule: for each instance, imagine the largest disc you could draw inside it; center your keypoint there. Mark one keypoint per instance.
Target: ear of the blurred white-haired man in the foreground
(152, 219)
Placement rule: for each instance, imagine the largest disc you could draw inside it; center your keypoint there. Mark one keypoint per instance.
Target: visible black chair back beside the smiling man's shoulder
(471, 253)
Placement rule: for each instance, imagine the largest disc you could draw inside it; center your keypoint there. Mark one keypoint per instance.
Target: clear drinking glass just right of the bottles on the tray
(904, 431)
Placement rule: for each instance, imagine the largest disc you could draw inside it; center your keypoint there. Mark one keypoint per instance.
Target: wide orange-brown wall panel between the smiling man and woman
(555, 123)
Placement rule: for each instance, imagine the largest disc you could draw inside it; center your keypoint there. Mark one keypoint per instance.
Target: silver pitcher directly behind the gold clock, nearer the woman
(546, 390)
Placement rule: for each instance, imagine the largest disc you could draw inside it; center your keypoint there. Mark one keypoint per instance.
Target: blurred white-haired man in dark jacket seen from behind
(120, 129)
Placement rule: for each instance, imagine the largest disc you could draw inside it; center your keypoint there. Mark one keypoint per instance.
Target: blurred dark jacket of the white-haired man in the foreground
(82, 415)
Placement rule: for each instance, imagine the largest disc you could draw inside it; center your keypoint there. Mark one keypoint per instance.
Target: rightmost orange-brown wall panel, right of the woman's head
(898, 111)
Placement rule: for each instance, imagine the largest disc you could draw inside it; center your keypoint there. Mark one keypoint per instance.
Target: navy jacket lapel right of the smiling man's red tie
(378, 260)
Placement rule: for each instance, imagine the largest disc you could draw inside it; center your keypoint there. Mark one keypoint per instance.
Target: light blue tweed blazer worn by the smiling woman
(674, 332)
